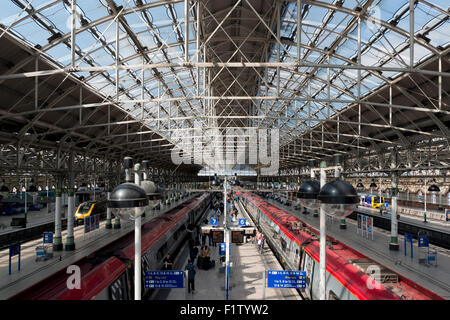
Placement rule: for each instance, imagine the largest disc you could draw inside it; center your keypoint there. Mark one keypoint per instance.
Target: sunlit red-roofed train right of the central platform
(297, 246)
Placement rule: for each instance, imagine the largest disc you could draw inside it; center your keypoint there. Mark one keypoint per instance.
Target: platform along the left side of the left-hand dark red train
(32, 271)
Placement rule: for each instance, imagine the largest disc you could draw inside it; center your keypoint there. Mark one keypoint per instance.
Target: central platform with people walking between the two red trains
(245, 279)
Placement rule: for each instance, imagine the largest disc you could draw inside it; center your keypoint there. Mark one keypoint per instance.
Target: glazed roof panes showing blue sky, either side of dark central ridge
(160, 28)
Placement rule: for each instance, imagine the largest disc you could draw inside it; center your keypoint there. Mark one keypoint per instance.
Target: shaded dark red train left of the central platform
(107, 274)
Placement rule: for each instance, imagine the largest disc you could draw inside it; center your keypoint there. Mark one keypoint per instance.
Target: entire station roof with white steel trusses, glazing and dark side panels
(367, 79)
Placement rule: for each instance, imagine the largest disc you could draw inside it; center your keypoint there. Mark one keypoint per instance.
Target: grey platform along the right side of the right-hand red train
(435, 278)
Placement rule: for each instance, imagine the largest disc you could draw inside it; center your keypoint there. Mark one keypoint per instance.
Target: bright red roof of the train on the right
(343, 262)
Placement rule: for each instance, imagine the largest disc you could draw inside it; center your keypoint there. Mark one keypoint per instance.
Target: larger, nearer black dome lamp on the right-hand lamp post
(338, 198)
